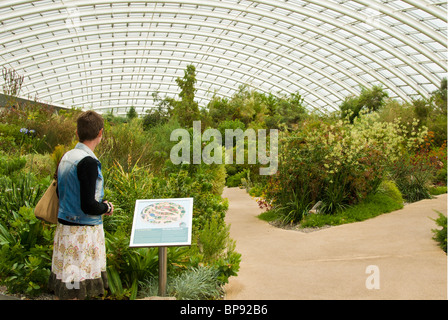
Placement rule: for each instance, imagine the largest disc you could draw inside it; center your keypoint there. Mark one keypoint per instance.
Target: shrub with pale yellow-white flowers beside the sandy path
(336, 162)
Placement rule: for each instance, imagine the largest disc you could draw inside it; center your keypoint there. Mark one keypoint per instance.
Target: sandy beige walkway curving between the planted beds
(331, 263)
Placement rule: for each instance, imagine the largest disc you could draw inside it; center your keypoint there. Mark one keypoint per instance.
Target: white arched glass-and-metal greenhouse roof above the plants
(115, 54)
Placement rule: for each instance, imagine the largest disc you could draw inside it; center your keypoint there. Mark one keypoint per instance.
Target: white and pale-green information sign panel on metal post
(162, 222)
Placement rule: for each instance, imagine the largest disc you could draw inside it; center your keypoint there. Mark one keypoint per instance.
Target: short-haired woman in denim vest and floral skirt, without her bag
(78, 267)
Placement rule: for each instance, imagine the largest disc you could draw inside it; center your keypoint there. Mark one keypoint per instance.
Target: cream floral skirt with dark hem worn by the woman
(78, 268)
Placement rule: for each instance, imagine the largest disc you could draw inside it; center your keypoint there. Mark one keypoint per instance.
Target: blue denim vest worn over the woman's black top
(69, 187)
